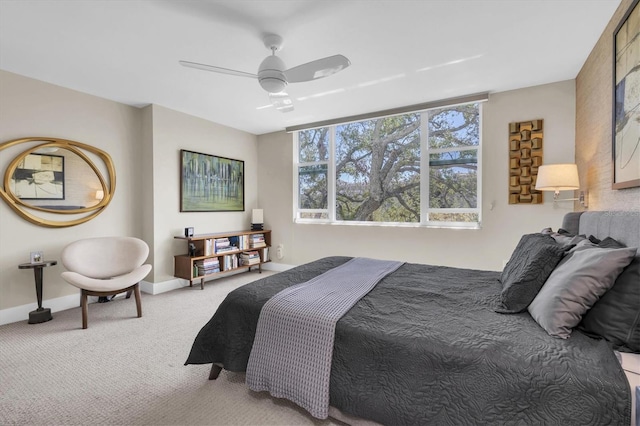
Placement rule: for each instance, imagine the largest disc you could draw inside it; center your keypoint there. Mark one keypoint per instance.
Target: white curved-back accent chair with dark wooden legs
(106, 266)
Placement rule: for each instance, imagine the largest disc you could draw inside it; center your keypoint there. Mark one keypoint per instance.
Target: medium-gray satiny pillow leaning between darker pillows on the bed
(575, 286)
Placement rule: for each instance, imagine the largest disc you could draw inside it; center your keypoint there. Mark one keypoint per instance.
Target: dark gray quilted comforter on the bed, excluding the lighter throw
(426, 347)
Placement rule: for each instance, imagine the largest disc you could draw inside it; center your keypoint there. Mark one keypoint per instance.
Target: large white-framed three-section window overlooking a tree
(420, 168)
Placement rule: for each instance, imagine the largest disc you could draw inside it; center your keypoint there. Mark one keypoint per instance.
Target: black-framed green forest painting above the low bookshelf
(209, 183)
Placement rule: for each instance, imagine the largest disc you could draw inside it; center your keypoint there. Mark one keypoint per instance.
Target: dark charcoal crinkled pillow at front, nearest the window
(532, 261)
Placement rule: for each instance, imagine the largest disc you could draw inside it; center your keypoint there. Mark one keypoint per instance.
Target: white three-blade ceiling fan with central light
(273, 76)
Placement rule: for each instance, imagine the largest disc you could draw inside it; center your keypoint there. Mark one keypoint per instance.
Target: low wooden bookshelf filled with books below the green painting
(214, 254)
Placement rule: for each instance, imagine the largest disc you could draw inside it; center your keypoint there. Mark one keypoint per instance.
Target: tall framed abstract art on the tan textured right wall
(626, 98)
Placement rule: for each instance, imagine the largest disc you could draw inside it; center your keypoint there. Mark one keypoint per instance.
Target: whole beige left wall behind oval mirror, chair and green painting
(144, 145)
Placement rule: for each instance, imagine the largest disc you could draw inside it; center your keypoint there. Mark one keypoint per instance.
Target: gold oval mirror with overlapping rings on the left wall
(55, 177)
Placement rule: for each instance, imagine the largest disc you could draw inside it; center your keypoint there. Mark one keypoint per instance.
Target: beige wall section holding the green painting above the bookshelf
(173, 131)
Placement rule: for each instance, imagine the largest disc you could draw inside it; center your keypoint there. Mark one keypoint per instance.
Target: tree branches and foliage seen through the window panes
(378, 165)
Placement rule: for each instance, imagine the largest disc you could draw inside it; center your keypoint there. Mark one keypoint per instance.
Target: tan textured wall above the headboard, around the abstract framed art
(594, 98)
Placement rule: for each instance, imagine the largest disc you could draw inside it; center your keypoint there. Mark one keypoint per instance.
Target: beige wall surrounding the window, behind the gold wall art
(486, 248)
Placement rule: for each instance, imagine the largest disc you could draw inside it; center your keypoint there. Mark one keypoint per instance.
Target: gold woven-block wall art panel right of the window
(525, 156)
